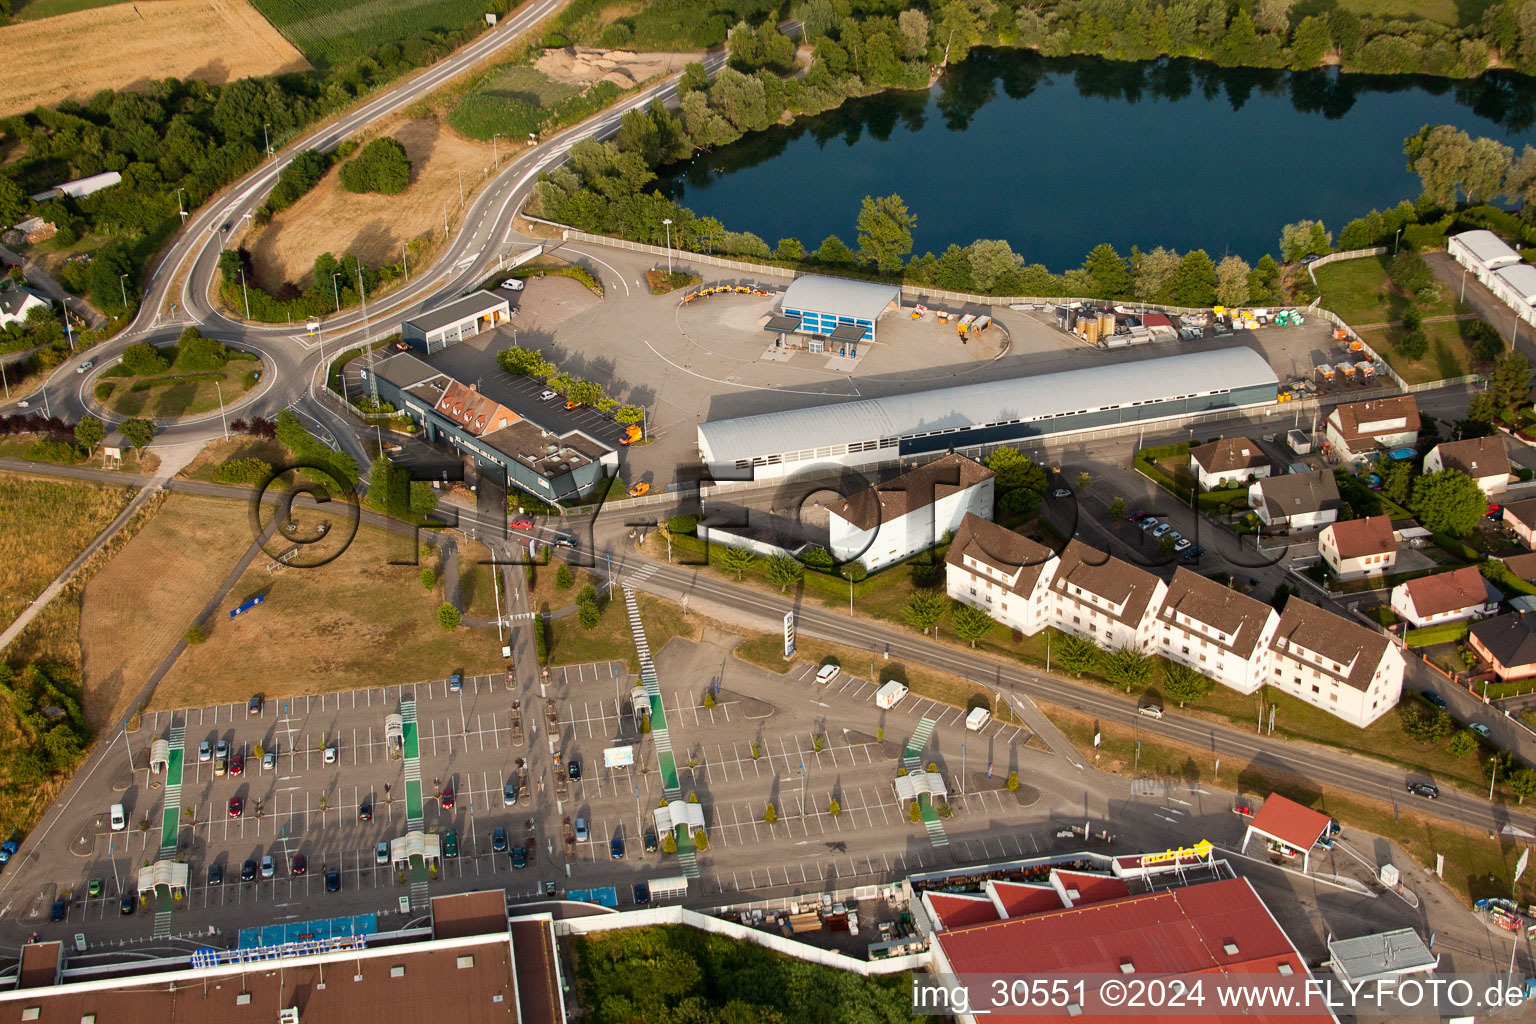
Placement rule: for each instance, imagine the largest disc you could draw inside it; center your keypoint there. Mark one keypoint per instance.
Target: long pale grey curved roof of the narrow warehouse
(1031, 398)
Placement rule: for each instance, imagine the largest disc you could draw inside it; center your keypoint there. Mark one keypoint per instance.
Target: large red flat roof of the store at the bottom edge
(1214, 928)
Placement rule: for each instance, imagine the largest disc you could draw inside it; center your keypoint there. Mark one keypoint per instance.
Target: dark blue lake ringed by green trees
(1058, 156)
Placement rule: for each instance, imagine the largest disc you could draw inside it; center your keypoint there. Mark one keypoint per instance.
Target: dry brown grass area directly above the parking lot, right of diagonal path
(351, 624)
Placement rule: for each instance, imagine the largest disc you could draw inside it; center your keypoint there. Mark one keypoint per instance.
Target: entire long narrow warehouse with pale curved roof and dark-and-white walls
(979, 417)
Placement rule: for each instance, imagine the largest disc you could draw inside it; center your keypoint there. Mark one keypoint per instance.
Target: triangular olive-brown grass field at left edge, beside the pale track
(47, 526)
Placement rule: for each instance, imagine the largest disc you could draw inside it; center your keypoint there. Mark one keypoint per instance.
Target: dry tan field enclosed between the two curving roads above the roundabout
(374, 226)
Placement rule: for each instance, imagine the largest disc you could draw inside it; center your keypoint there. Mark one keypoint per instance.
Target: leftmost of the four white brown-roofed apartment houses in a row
(1001, 572)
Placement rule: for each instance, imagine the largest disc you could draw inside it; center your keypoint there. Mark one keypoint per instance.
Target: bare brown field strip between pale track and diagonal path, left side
(144, 601)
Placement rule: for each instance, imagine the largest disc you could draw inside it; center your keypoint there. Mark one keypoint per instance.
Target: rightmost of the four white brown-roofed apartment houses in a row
(1331, 662)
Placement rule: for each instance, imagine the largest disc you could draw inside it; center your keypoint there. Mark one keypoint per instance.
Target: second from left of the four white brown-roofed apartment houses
(1104, 600)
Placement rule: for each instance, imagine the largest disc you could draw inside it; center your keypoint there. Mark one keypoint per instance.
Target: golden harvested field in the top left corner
(128, 45)
